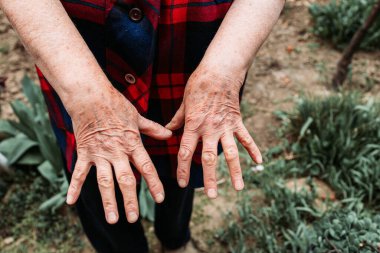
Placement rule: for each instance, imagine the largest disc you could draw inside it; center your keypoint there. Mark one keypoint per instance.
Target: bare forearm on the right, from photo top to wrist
(241, 34)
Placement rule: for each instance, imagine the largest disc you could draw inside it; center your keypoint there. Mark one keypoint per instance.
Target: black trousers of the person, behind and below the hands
(172, 218)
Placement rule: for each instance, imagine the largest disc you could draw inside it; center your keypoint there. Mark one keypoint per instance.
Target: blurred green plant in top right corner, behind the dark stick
(338, 21)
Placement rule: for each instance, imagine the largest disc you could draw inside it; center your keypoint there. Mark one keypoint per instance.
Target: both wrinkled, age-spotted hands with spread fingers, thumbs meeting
(108, 131)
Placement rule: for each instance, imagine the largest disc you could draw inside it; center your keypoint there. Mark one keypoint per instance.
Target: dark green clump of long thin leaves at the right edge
(338, 140)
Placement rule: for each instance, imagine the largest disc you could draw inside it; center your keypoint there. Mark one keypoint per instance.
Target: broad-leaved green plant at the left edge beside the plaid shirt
(30, 141)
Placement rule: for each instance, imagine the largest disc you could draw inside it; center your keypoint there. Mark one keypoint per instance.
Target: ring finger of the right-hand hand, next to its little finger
(232, 157)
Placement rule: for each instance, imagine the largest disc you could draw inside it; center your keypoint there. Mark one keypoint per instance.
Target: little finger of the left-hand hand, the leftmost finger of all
(82, 167)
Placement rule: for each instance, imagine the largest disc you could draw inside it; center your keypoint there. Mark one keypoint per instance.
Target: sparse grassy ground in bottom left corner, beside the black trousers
(29, 228)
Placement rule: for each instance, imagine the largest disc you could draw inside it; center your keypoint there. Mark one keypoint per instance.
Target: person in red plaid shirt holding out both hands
(113, 72)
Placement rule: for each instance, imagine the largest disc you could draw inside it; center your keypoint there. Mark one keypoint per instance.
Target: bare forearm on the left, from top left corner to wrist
(57, 47)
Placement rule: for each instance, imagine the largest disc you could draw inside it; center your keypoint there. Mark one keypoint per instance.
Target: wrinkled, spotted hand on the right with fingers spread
(210, 111)
